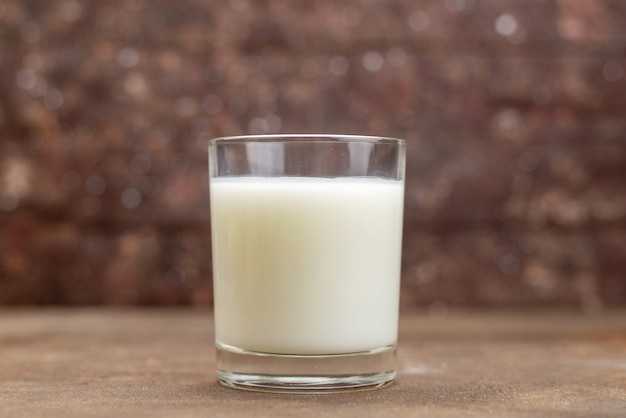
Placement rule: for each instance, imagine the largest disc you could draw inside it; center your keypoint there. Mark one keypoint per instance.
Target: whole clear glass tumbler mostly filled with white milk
(306, 243)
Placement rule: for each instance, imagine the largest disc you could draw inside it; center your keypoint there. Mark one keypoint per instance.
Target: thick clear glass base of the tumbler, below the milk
(248, 370)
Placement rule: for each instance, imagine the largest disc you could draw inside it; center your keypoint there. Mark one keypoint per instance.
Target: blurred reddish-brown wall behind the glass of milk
(514, 113)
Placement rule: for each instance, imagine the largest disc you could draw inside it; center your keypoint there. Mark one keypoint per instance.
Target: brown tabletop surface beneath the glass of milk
(71, 362)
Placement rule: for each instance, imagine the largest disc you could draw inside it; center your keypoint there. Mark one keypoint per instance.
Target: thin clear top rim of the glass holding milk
(308, 138)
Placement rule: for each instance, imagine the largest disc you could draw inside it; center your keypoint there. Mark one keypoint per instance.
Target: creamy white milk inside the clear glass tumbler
(306, 265)
